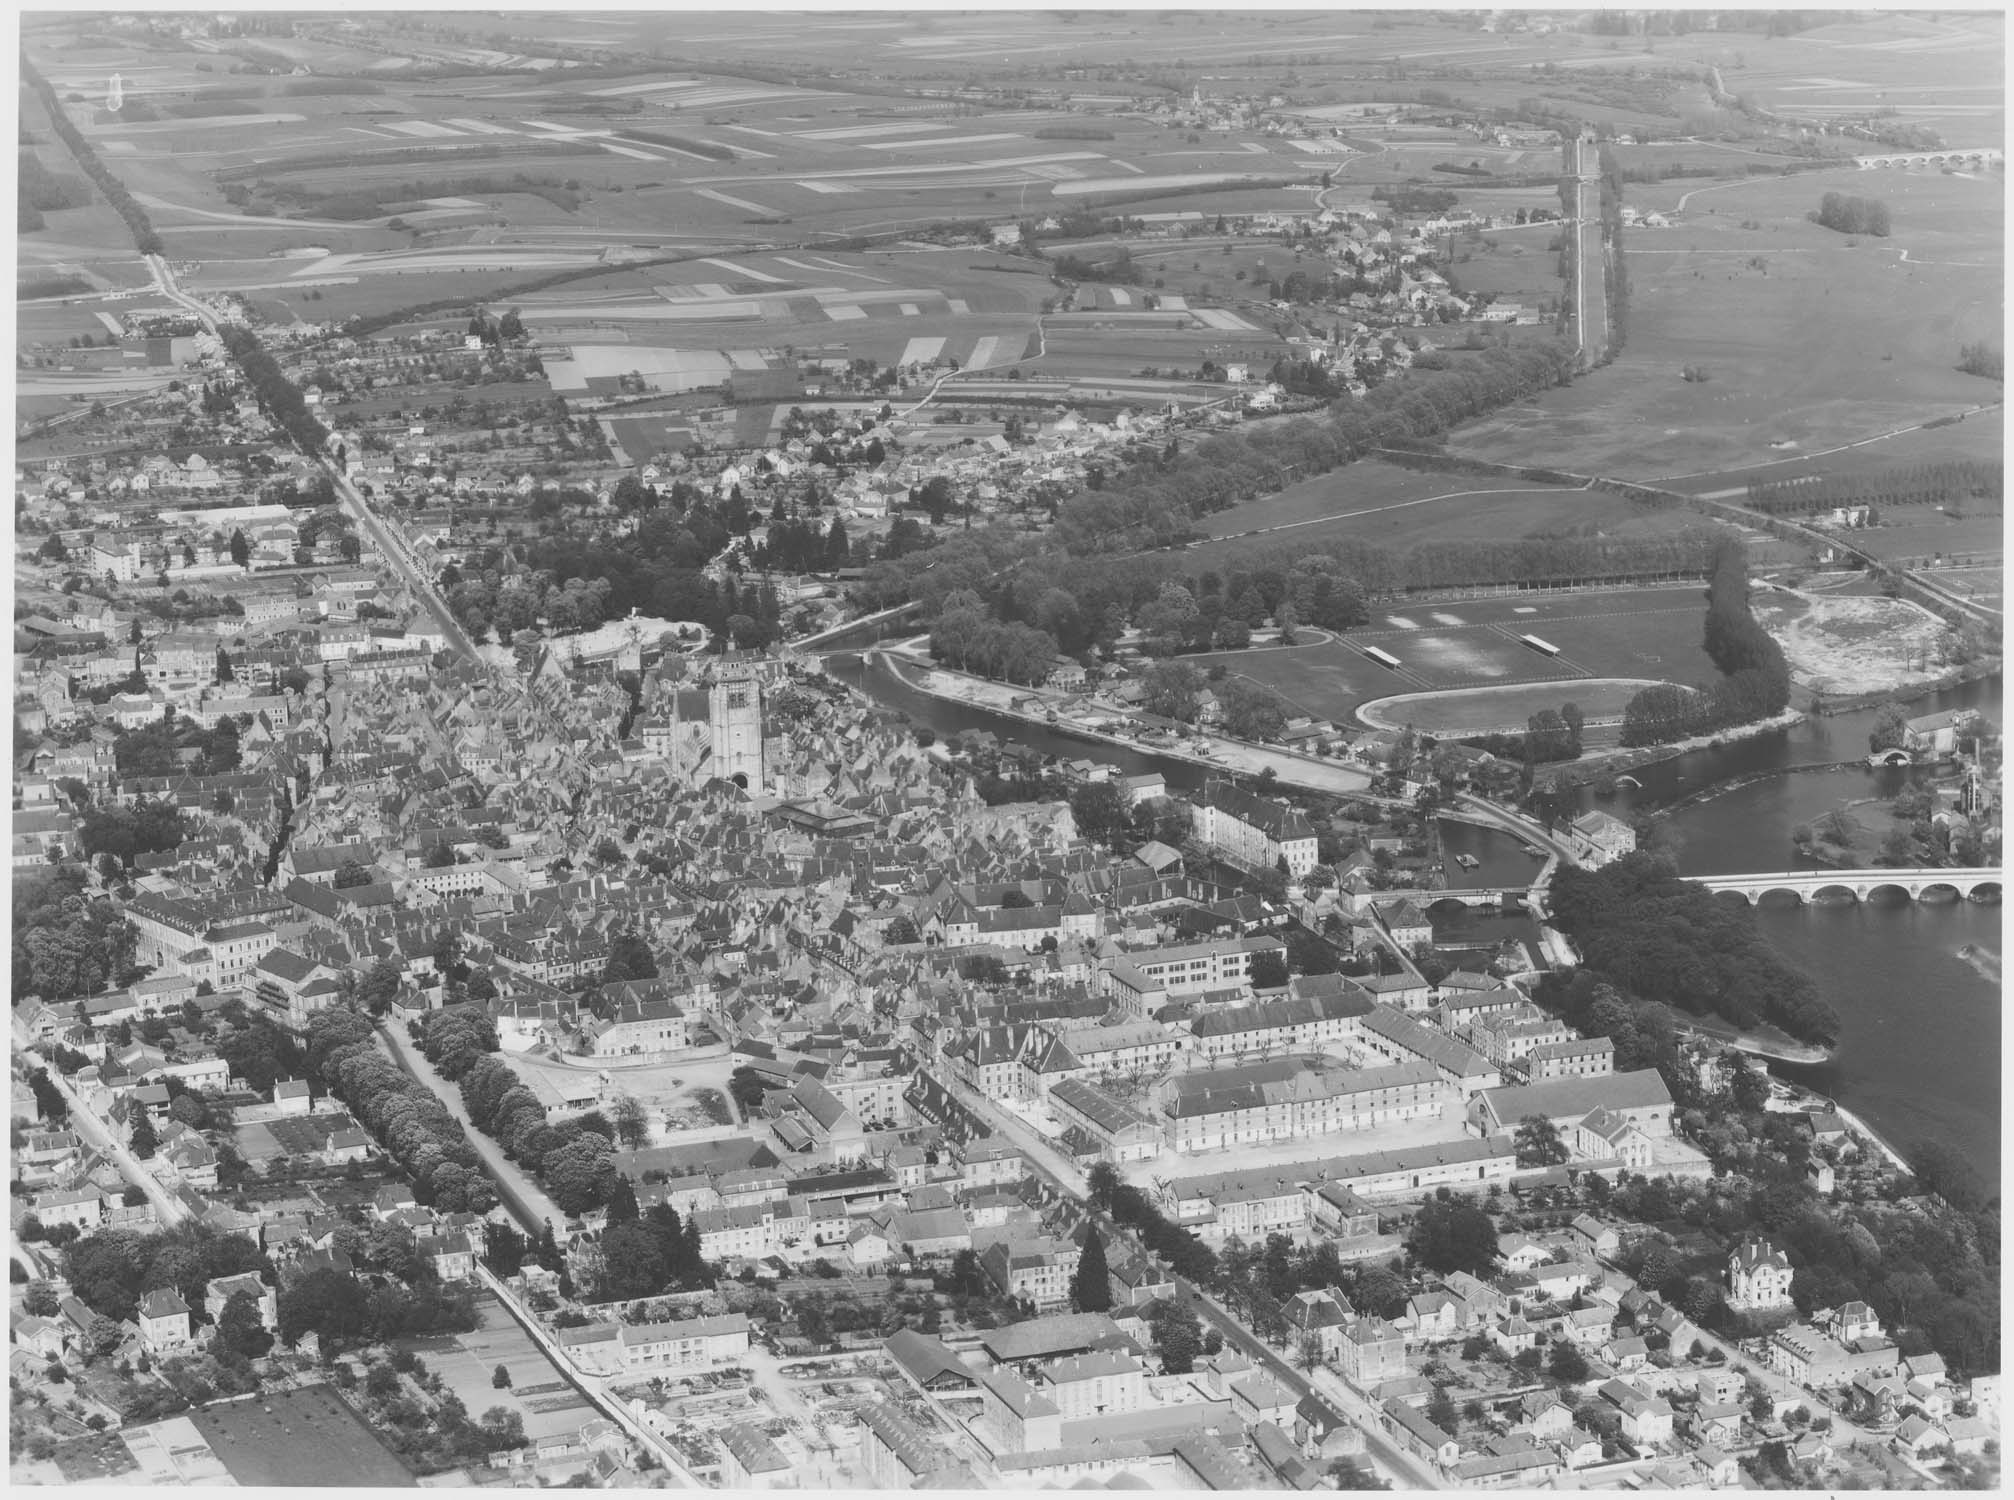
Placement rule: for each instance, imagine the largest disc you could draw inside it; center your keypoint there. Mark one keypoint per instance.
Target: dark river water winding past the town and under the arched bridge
(1920, 1028)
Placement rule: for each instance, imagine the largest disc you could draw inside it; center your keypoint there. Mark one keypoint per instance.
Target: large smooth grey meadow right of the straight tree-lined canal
(1808, 337)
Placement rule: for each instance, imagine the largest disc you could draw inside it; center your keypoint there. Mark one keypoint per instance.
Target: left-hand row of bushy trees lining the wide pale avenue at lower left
(400, 1112)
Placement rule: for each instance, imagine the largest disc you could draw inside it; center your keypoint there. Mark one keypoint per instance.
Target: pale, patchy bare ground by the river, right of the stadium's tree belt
(1856, 645)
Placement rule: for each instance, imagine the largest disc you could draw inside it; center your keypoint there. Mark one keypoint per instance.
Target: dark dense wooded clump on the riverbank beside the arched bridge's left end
(1673, 941)
